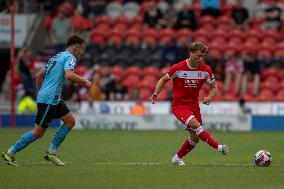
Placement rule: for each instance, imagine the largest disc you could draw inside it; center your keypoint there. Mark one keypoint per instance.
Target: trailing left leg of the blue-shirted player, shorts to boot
(41, 123)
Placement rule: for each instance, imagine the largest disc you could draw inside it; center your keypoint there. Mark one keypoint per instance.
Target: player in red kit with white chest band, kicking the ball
(188, 77)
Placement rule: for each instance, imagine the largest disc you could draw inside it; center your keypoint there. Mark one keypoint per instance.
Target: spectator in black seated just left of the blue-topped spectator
(186, 19)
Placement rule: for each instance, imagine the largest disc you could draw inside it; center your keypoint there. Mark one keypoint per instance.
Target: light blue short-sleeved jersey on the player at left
(54, 79)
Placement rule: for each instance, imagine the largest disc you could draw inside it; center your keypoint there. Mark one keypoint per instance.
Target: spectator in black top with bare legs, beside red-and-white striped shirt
(251, 69)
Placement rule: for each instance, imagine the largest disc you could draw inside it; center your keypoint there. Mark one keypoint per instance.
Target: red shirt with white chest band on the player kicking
(188, 81)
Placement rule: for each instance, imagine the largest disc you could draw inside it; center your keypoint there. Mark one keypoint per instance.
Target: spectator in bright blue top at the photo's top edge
(210, 7)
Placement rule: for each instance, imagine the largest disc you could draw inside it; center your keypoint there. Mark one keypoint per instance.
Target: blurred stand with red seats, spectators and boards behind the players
(131, 44)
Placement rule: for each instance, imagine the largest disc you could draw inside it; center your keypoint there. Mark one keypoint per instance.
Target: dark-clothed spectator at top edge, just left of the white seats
(94, 8)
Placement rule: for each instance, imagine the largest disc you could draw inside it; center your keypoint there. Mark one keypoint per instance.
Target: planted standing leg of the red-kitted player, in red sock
(185, 148)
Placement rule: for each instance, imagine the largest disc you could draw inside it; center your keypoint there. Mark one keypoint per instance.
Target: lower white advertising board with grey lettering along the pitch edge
(158, 122)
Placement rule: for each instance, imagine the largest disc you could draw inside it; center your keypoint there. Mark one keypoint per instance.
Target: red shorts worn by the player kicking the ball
(186, 113)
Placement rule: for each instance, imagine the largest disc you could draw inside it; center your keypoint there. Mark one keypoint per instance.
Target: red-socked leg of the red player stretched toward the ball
(205, 136)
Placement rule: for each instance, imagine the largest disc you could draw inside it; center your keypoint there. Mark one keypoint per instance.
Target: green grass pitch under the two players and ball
(141, 159)
